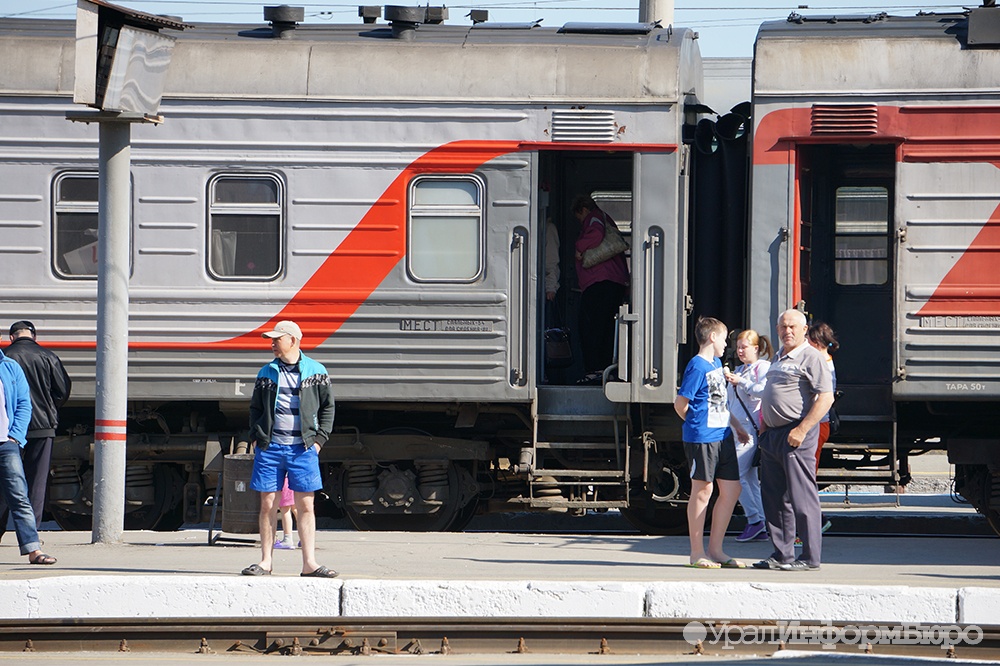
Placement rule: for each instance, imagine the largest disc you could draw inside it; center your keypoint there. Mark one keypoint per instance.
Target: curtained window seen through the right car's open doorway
(862, 243)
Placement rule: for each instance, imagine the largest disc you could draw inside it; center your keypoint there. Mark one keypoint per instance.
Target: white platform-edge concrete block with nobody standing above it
(477, 598)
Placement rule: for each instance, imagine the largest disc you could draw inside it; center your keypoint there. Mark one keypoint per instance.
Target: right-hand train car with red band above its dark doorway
(875, 207)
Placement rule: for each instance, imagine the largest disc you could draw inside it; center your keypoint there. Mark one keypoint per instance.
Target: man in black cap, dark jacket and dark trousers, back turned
(49, 386)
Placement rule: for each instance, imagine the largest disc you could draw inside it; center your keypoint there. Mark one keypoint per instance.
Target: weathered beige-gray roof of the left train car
(628, 63)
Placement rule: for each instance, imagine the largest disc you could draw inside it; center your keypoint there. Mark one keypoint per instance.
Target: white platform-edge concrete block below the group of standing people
(796, 601)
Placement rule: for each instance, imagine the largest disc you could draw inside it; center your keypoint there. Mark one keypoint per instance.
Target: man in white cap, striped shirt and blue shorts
(291, 417)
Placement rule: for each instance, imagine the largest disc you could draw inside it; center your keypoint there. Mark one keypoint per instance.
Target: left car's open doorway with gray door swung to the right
(643, 192)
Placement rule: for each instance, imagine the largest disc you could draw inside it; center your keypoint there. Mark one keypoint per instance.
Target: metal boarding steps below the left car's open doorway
(557, 417)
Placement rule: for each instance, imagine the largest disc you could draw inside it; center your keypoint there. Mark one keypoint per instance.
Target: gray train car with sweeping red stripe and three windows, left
(387, 187)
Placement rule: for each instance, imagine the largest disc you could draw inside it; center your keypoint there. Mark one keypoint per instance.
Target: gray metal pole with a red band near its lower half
(114, 229)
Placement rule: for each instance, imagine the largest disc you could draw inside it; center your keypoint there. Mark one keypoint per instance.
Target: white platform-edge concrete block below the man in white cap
(181, 596)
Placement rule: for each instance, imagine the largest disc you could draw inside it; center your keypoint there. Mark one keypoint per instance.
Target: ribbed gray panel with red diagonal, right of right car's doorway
(948, 326)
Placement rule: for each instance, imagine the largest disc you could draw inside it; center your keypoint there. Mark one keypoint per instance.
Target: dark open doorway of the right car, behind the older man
(846, 259)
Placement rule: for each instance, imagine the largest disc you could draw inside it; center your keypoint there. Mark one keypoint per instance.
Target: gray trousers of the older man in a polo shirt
(789, 494)
